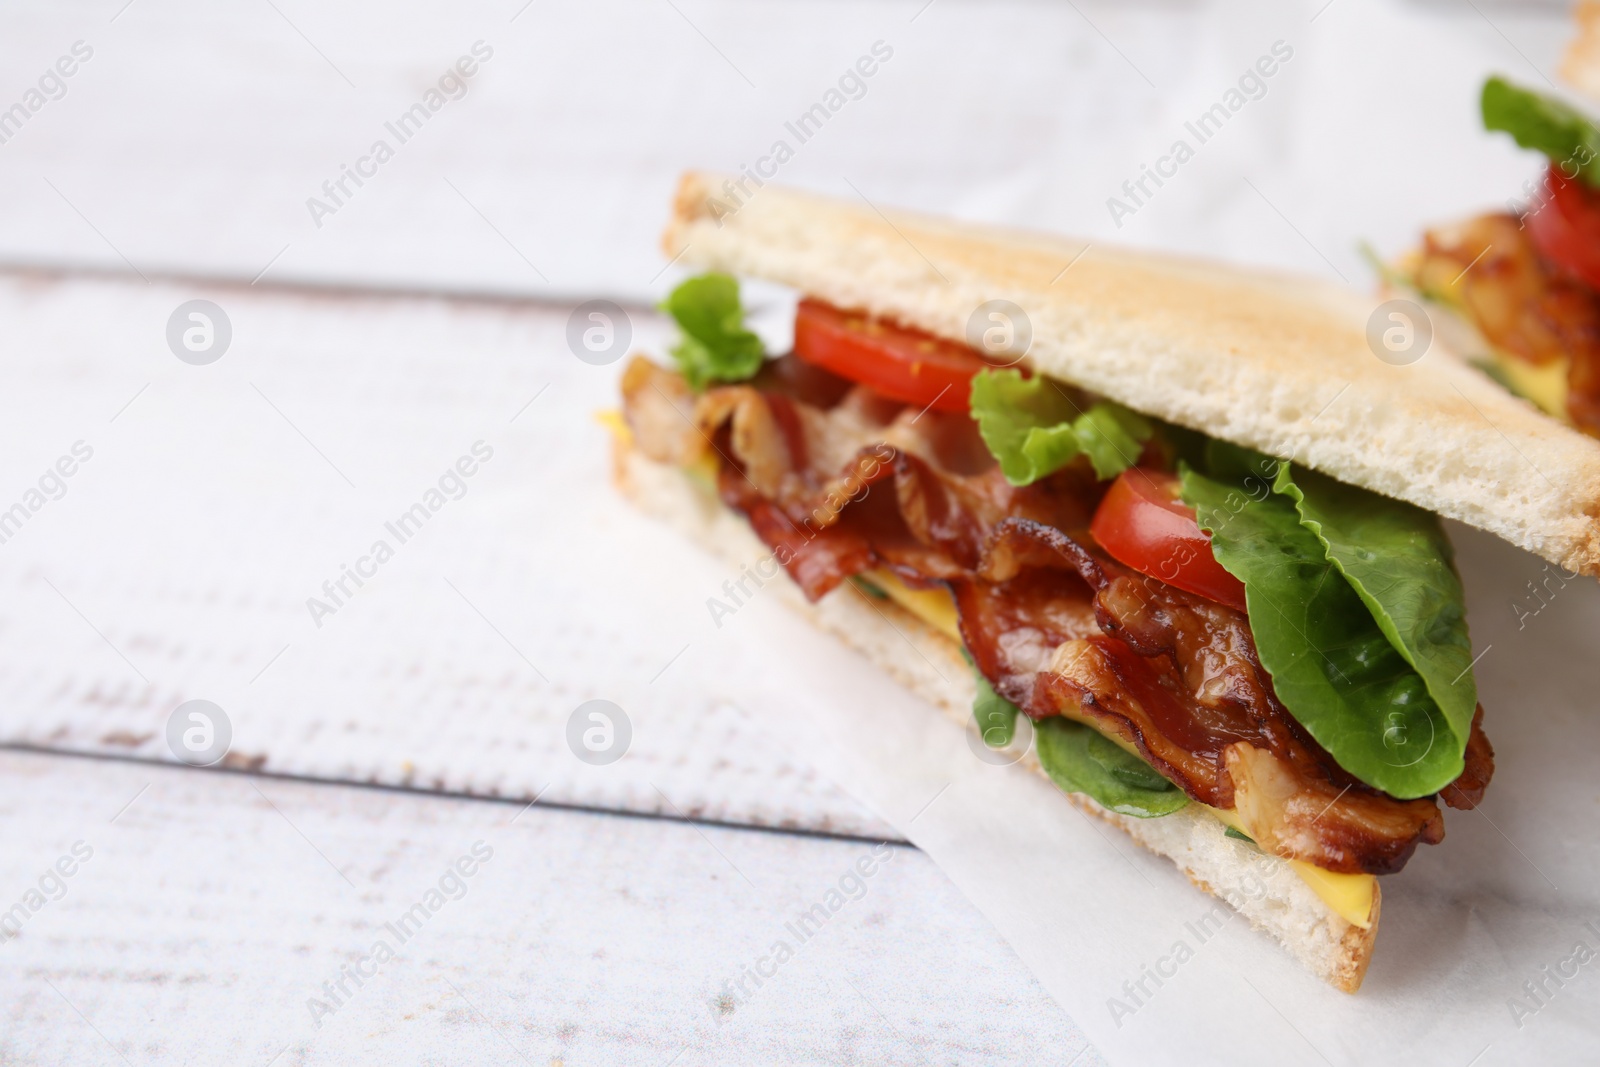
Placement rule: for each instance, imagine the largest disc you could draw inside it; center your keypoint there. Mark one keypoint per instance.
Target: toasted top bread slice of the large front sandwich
(1273, 362)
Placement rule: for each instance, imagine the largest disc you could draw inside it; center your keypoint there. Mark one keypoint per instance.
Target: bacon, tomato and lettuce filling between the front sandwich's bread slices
(1185, 621)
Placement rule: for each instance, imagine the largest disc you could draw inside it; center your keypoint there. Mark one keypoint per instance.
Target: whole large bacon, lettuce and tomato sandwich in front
(1174, 518)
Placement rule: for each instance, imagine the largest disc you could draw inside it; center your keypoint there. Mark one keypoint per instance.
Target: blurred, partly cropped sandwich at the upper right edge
(1519, 290)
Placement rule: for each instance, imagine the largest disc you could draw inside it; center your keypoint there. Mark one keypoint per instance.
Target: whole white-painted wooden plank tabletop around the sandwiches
(620, 914)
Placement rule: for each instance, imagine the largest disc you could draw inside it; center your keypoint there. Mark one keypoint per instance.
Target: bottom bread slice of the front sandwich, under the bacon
(1262, 889)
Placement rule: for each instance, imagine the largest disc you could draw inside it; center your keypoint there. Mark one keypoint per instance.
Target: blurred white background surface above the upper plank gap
(196, 135)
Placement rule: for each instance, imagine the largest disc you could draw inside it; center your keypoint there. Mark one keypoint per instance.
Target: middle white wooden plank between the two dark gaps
(220, 500)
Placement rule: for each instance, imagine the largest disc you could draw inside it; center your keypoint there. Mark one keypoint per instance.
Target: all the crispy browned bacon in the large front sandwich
(1052, 623)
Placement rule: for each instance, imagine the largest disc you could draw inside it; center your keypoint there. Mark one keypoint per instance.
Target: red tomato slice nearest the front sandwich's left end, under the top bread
(905, 366)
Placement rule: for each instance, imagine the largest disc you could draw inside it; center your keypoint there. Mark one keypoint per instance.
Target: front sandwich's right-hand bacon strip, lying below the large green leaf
(1178, 677)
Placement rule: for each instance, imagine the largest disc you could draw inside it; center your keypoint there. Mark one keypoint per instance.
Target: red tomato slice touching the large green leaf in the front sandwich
(1145, 526)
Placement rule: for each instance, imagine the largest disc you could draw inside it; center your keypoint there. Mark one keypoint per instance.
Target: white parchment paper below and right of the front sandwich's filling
(1508, 898)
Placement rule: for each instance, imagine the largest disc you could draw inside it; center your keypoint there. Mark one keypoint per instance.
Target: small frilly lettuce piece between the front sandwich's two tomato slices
(1034, 428)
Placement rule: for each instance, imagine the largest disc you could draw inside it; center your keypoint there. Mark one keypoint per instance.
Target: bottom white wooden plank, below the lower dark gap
(204, 911)
